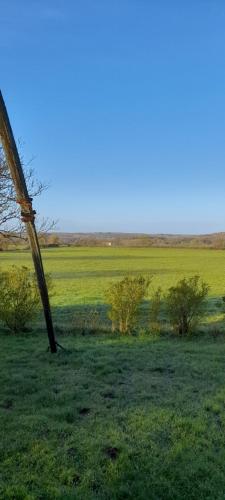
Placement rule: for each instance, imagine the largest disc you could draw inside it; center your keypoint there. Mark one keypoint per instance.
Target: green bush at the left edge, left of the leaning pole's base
(19, 298)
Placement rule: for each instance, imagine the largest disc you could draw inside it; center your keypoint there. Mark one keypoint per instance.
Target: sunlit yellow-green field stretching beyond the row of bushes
(81, 275)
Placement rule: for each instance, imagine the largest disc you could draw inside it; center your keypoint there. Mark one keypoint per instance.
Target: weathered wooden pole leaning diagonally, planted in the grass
(27, 213)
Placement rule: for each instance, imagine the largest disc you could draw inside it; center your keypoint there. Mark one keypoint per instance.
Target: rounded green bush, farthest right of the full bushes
(185, 303)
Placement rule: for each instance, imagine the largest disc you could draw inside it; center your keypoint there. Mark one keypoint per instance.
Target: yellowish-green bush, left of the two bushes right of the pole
(124, 299)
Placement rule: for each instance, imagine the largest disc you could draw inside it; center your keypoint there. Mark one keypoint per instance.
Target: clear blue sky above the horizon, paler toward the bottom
(122, 104)
